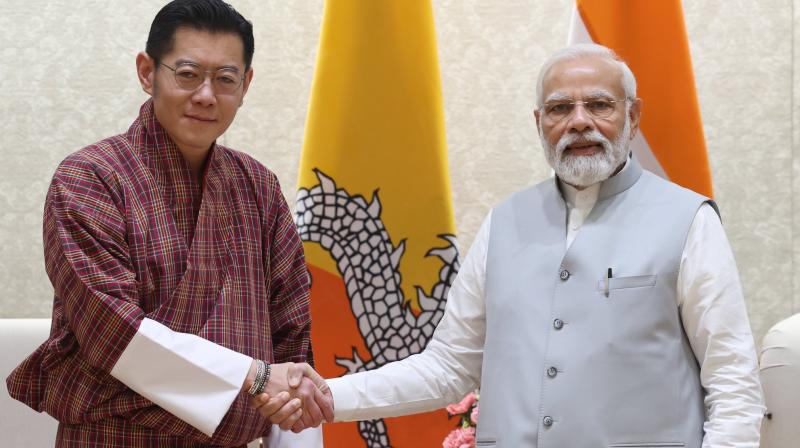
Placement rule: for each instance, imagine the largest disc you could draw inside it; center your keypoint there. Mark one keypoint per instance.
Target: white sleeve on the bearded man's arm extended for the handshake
(448, 368)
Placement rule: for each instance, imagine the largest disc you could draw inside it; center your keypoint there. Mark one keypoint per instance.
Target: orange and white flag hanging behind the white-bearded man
(651, 37)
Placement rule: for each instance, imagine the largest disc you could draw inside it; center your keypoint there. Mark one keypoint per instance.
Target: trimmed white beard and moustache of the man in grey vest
(583, 171)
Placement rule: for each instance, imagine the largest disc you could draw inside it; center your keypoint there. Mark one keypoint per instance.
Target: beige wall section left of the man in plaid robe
(68, 80)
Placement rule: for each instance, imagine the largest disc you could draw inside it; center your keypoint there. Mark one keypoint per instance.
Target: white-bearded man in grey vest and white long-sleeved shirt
(601, 308)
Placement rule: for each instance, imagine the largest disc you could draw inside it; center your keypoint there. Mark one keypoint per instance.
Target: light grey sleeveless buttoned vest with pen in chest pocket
(567, 364)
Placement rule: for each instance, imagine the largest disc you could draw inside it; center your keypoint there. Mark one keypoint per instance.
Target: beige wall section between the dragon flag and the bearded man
(490, 53)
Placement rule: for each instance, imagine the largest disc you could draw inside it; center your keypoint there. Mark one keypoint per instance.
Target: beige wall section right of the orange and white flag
(742, 58)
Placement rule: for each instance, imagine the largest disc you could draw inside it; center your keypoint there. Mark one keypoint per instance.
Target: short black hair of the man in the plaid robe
(214, 16)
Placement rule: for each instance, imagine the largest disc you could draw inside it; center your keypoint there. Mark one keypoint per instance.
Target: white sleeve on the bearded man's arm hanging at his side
(716, 323)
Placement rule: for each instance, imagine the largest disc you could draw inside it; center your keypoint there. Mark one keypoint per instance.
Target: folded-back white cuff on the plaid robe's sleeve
(192, 378)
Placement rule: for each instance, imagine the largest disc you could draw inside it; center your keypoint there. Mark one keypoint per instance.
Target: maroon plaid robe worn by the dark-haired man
(129, 233)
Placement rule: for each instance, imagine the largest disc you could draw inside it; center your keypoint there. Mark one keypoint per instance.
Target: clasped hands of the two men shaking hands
(296, 397)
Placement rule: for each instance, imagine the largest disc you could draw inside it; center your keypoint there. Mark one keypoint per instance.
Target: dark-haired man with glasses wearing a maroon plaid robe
(181, 289)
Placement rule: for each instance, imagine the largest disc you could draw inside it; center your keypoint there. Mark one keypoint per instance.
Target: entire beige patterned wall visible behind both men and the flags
(69, 80)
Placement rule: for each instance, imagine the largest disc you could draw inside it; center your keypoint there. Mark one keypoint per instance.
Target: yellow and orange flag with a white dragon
(373, 206)
